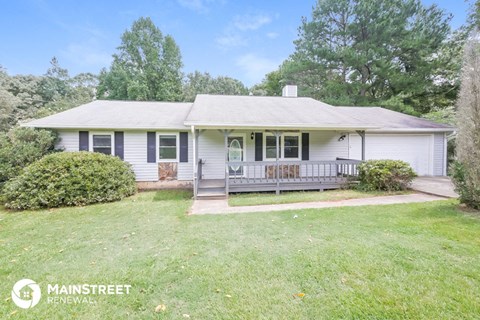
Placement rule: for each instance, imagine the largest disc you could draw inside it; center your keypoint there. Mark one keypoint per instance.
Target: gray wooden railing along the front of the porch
(289, 175)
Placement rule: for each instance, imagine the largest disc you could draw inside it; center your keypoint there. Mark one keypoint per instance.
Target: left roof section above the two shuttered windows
(105, 114)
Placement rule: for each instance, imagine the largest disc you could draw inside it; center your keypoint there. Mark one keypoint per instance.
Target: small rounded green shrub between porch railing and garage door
(389, 175)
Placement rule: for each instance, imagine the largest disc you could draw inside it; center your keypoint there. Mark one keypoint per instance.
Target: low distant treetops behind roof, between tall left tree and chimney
(204, 83)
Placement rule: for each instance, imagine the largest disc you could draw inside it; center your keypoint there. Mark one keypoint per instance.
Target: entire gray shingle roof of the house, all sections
(216, 111)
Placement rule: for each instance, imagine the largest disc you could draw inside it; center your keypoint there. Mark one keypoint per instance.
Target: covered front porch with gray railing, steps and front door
(222, 164)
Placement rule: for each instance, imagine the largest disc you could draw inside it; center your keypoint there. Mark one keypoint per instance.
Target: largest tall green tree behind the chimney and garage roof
(368, 51)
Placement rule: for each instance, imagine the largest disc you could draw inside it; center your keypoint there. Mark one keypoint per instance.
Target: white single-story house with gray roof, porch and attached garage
(220, 144)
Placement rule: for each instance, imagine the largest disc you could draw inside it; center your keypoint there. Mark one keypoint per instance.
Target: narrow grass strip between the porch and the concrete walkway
(253, 199)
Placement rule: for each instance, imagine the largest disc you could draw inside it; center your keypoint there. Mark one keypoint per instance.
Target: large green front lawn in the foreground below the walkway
(416, 261)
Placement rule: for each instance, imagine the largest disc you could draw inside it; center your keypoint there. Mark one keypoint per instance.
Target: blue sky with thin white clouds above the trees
(240, 39)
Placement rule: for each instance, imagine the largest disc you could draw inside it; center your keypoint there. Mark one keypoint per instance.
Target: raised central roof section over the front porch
(269, 112)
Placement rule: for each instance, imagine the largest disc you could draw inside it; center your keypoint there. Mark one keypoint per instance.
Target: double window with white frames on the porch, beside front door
(289, 146)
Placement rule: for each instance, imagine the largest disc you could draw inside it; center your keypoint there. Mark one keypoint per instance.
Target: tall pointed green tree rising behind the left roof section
(146, 67)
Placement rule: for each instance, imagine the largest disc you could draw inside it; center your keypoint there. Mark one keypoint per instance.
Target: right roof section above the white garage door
(391, 120)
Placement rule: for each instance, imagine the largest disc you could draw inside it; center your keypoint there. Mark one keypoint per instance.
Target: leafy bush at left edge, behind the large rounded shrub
(21, 147)
